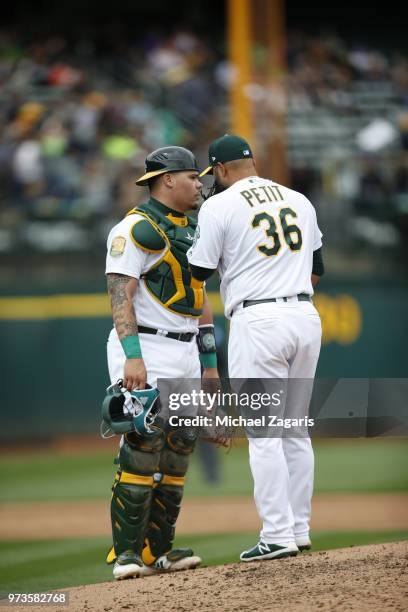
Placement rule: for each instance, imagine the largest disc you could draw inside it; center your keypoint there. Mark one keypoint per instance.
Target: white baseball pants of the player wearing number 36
(279, 340)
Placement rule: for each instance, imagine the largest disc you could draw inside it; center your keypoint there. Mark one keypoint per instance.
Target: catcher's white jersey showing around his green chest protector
(124, 257)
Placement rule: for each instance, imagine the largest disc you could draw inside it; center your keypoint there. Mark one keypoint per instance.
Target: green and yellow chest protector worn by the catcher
(169, 280)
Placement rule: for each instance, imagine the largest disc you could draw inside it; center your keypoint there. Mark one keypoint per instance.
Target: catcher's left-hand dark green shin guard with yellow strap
(132, 492)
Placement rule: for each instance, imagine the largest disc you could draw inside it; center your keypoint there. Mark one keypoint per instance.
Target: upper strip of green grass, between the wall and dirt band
(363, 465)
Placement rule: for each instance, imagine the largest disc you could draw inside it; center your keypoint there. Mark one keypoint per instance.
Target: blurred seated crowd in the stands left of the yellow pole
(76, 123)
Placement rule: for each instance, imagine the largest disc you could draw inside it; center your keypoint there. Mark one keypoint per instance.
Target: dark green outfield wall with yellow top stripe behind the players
(54, 350)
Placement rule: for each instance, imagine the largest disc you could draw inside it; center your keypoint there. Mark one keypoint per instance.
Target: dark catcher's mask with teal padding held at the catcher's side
(124, 412)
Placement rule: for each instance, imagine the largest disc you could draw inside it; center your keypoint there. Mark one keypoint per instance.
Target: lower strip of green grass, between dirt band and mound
(42, 565)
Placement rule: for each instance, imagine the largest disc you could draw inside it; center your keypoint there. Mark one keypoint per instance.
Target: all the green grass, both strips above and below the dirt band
(363, 465)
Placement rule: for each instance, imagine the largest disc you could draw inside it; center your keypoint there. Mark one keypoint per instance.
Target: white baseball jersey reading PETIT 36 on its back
(261, 237)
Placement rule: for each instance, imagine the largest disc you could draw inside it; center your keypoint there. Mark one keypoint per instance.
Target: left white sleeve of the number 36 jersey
(206, 249)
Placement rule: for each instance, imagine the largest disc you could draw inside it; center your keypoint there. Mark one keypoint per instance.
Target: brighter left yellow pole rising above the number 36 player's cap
(239, 51)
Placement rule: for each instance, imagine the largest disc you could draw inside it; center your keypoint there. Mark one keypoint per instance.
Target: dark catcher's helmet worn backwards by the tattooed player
(167, 159)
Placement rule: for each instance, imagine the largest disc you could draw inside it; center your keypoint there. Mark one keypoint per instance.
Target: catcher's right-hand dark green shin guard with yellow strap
(168, 493)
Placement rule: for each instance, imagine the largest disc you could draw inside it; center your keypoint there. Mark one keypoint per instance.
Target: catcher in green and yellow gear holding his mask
(163, 328)
